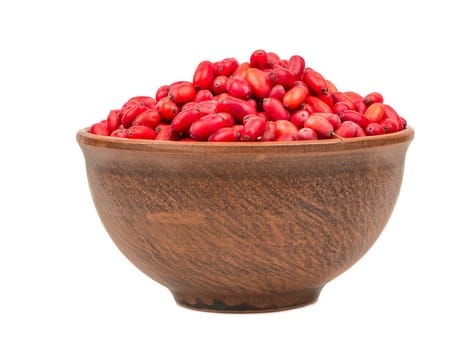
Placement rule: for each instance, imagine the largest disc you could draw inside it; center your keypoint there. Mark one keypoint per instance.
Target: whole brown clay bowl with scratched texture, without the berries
(245, 227)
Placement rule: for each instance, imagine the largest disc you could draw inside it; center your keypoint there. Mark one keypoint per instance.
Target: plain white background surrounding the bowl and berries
(65, 64)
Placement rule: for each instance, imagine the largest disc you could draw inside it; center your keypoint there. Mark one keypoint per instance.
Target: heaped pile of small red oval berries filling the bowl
(263, 99)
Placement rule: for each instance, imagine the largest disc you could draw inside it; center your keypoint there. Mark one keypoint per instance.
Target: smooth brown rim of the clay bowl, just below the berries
(85, 138)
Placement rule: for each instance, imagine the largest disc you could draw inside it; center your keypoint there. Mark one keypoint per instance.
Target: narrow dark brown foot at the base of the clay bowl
(248, 303)
